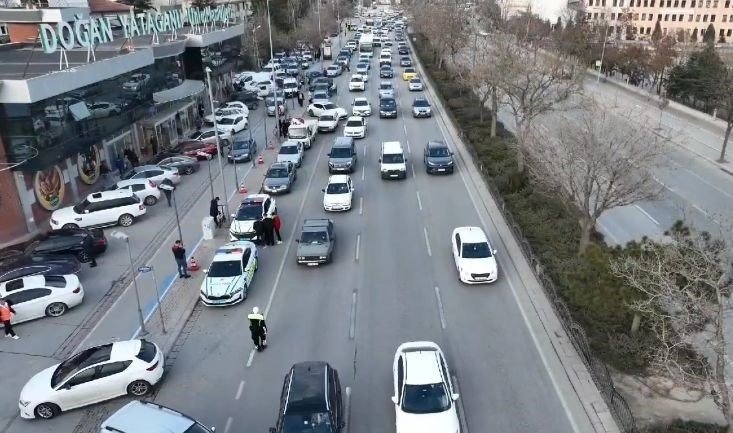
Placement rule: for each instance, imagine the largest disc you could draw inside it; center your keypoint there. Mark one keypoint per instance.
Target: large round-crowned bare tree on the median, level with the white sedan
(598, 161)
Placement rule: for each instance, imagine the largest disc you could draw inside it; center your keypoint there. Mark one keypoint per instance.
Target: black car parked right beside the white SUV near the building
(83, 243)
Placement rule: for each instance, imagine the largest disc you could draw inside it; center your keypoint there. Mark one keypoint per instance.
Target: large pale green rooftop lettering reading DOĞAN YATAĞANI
(94, 31)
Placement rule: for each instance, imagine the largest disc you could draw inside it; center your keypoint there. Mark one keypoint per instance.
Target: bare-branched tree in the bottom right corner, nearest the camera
(686, 285)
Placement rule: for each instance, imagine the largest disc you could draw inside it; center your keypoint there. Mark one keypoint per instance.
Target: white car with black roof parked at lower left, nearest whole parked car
(93, 375)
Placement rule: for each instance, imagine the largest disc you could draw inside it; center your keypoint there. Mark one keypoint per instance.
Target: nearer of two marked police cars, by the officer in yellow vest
(230, 274)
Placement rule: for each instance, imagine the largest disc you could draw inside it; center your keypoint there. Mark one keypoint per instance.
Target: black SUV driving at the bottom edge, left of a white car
(311, 400)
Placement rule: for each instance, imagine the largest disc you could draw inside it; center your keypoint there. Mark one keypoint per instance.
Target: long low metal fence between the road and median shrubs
(598, 370)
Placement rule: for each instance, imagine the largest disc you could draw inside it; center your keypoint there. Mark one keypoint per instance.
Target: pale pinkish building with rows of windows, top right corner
(636, 19)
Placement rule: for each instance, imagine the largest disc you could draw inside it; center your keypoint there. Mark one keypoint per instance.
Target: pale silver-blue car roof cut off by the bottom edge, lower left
(146, 416)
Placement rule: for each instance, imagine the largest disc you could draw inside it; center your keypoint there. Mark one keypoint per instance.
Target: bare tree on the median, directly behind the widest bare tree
(534, 84)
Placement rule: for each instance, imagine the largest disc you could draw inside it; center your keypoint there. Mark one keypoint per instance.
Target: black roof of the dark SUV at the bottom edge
(307, 388)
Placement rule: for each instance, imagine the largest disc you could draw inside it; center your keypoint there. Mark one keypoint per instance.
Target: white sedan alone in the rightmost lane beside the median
(475, 259)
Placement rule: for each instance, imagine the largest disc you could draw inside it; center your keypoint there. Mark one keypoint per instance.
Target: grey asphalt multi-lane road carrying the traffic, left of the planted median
(392, 280)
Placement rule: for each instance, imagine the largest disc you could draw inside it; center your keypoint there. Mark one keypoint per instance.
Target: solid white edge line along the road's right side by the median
(525, 318)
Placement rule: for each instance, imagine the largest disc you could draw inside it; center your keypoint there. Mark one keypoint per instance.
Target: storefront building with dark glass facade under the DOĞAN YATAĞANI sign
(71, 114)
